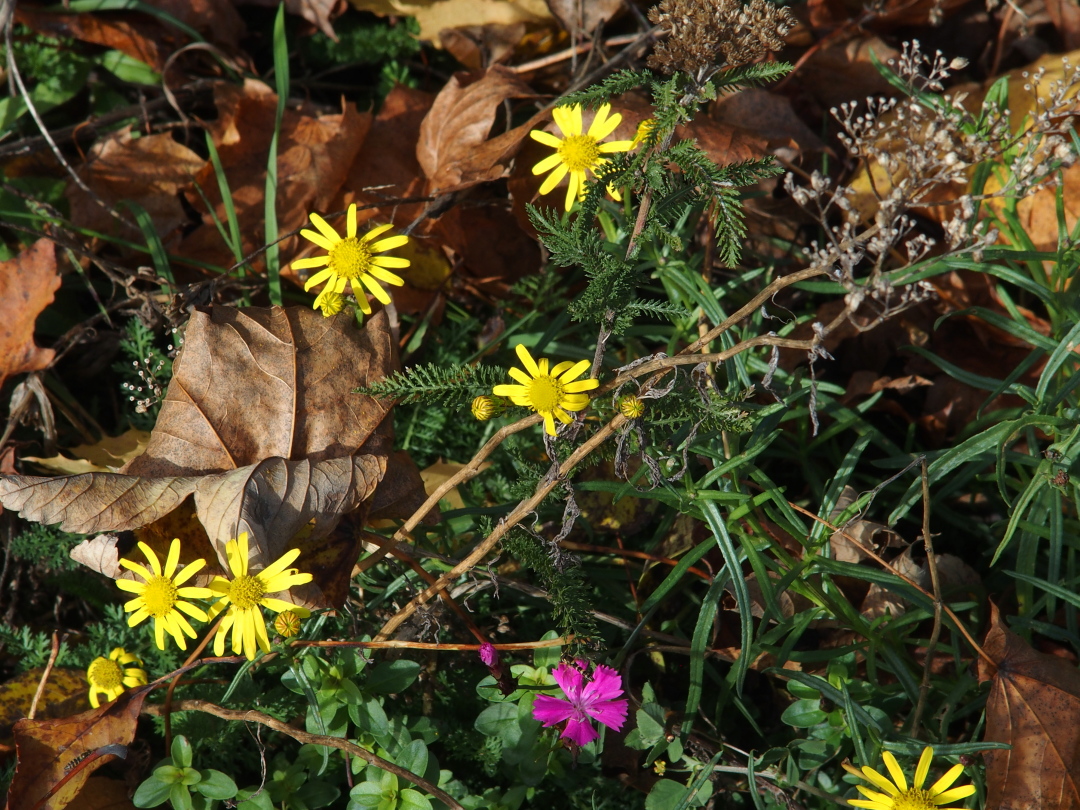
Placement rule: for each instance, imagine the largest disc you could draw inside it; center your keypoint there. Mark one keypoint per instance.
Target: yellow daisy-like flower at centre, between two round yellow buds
(549, 394)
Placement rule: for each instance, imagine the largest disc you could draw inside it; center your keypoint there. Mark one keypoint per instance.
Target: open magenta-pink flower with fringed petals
(586, 701)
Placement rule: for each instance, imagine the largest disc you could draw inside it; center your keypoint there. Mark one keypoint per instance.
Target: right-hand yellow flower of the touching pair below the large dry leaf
(247, 593)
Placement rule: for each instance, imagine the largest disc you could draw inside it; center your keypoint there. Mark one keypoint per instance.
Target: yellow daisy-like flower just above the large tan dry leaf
(353, 261)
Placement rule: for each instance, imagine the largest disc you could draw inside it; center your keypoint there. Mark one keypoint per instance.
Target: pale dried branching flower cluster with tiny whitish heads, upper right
(920, 151)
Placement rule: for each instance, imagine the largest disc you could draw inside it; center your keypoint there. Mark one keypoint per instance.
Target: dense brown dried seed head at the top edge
(703, 34)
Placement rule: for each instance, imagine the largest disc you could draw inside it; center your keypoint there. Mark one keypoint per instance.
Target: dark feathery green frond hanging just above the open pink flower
(571, 605)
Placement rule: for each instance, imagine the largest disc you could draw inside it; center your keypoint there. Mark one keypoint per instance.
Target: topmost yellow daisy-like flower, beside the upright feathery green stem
(579, 153)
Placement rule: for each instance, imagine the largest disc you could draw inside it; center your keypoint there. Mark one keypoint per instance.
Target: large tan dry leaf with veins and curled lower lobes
(261, 429)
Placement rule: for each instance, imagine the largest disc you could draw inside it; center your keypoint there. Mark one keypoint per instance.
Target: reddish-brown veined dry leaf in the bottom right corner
(1035, 707)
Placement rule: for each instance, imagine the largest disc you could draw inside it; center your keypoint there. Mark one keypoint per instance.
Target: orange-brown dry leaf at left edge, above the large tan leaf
(28, 286)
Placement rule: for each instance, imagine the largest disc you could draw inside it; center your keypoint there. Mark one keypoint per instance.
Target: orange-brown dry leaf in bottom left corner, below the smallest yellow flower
(50, 750)
